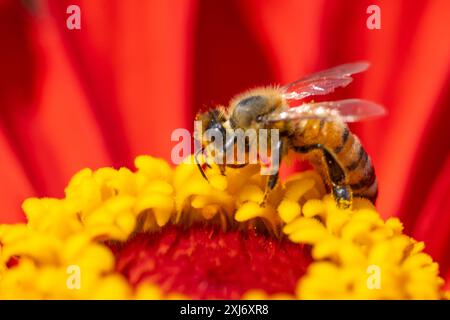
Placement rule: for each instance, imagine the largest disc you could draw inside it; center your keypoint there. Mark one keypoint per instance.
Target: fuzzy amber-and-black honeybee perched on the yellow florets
(317, 130)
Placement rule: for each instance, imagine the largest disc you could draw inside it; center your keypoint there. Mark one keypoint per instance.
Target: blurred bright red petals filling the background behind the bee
(136, 70)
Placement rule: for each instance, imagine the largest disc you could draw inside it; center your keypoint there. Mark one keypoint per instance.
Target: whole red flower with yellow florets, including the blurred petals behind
(117, 88)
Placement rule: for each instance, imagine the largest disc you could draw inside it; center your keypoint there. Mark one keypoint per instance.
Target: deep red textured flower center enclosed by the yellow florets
(203, 262)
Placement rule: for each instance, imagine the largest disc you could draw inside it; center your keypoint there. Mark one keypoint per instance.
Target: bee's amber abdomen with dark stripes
(346, 149)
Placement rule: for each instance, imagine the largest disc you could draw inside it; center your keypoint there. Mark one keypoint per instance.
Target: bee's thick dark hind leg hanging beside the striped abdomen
(341, 190)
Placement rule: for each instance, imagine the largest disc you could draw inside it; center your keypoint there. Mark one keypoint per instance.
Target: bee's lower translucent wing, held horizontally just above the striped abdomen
(349, 110)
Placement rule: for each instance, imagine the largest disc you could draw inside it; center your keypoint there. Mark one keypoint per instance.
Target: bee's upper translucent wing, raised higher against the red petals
(323, 82)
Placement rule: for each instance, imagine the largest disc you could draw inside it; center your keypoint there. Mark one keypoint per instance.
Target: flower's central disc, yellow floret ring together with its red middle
(163, 233)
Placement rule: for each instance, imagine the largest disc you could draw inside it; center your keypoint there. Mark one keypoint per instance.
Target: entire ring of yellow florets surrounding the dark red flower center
(356, 254)
